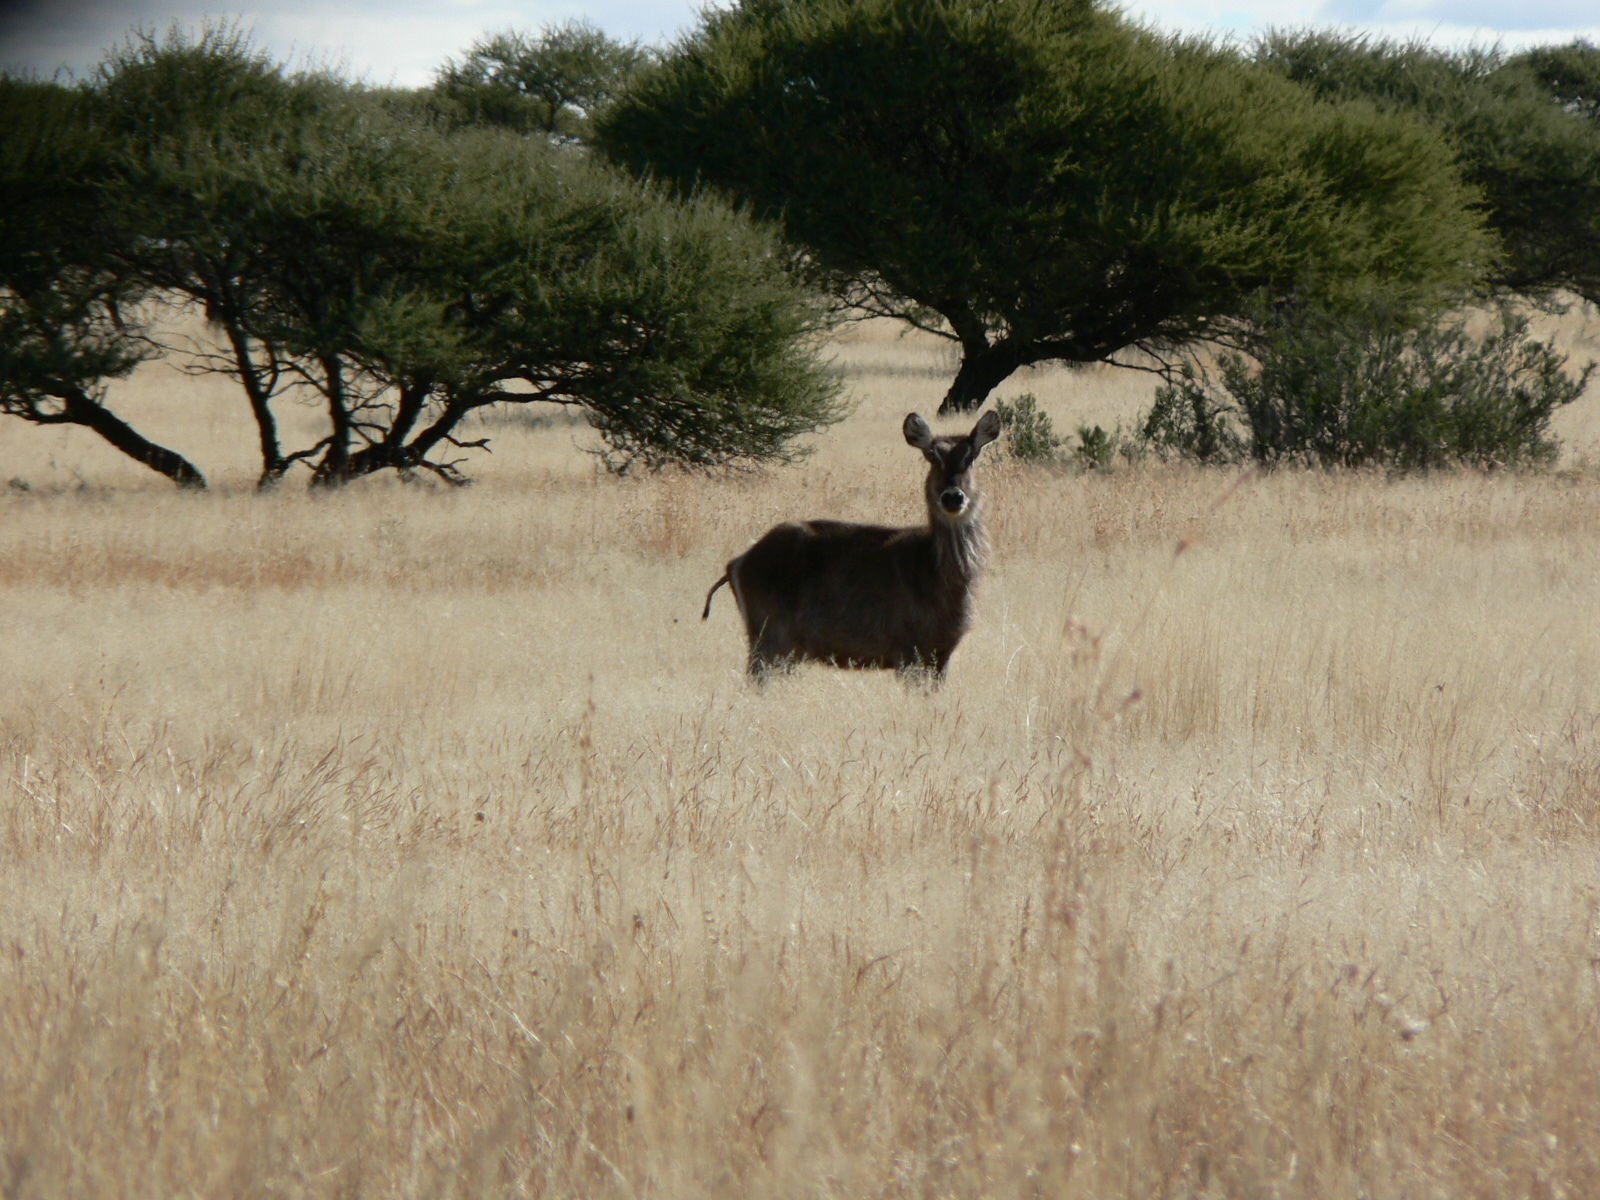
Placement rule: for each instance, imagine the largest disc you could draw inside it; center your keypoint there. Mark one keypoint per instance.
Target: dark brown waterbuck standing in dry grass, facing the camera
(868, 596)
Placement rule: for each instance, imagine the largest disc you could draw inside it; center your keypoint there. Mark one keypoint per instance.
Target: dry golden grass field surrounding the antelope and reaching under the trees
(425, 842)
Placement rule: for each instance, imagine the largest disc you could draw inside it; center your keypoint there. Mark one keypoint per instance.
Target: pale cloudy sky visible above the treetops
(402, 42)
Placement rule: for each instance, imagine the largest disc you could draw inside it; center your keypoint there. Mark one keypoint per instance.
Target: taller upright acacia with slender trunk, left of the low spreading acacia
(239, 190)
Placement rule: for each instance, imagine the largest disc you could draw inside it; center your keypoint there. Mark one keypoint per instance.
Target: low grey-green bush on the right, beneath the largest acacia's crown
(1369, 386)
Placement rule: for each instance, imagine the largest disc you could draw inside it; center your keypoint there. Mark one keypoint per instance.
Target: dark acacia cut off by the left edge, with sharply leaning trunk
(70, 319)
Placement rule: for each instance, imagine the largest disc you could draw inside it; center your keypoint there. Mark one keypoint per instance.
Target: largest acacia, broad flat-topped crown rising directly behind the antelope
(1039, 180)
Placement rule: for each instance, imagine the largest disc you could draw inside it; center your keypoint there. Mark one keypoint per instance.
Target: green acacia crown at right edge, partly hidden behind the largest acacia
(1522, 129)
